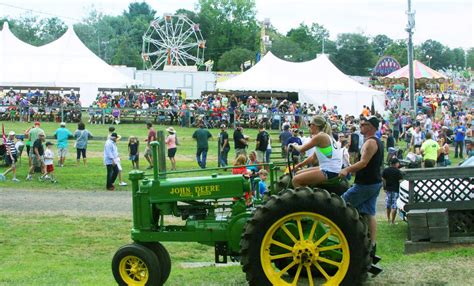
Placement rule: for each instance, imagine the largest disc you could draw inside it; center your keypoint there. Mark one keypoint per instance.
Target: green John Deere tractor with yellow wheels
(305, 236)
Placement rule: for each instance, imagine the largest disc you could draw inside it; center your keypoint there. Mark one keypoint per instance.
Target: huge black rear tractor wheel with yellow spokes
(261, 251)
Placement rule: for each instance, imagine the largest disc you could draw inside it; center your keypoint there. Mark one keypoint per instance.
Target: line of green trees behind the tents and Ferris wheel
(232, 35)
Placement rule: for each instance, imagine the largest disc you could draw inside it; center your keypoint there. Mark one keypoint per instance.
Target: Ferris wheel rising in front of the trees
(173, 40)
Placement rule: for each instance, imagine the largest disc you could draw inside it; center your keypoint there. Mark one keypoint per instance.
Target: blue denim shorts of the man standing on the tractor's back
(363, 197)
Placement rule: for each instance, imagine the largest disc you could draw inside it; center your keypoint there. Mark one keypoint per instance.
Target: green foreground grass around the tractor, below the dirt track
(61, 250)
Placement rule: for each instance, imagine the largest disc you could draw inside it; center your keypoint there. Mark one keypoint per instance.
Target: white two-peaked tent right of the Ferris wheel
(317, 81)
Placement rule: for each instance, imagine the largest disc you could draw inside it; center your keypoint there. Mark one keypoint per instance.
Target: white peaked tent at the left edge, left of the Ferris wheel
(63, 62)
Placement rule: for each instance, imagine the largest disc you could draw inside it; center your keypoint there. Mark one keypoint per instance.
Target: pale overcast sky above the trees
(450, 22)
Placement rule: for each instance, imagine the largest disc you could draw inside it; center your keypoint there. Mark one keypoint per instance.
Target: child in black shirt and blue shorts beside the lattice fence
(391, 181)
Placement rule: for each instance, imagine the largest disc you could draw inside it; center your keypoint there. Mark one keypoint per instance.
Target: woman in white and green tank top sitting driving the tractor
(327, 153)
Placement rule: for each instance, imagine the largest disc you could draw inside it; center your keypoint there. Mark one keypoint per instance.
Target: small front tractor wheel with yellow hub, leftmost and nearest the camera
(134, 264)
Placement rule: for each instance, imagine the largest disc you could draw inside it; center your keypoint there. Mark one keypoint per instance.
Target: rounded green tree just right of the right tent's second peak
(354, 55)
